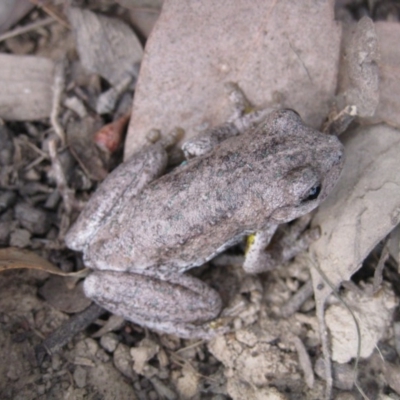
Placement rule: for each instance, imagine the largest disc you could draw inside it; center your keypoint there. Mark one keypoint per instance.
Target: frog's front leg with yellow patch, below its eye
(264, 254)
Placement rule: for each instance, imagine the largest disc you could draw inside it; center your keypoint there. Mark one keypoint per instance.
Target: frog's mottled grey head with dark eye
(313, 171)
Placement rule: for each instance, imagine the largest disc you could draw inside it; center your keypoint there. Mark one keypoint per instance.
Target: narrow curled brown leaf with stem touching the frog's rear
(13, 258)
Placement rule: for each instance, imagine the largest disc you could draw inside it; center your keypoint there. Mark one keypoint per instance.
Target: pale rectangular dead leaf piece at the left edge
(26, 87)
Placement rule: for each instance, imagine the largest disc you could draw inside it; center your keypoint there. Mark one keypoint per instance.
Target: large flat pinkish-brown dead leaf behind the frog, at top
(280, 53)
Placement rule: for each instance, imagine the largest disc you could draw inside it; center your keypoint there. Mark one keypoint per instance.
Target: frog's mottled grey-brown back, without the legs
(185, 217)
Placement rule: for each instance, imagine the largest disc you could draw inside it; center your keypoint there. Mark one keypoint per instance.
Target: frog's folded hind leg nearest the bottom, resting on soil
(182, 306)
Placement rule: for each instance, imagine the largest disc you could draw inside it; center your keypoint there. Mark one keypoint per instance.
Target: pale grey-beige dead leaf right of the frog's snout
(362, 209)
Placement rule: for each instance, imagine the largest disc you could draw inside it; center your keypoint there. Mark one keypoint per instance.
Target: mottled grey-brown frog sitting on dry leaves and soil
(144, 229)
